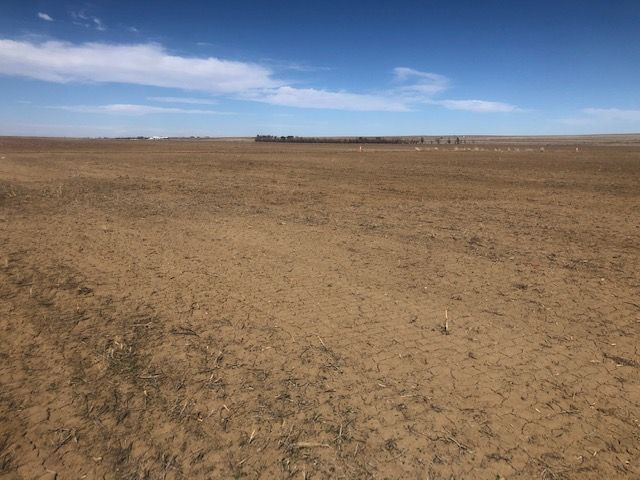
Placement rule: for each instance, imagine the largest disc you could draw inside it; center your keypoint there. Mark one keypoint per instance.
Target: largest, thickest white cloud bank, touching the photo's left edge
(142, 64)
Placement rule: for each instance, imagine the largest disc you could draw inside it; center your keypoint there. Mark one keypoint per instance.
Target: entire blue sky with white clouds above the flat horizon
(112, 68)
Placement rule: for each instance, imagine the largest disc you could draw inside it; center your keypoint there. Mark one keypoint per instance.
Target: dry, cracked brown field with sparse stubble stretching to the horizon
(200, 309)
